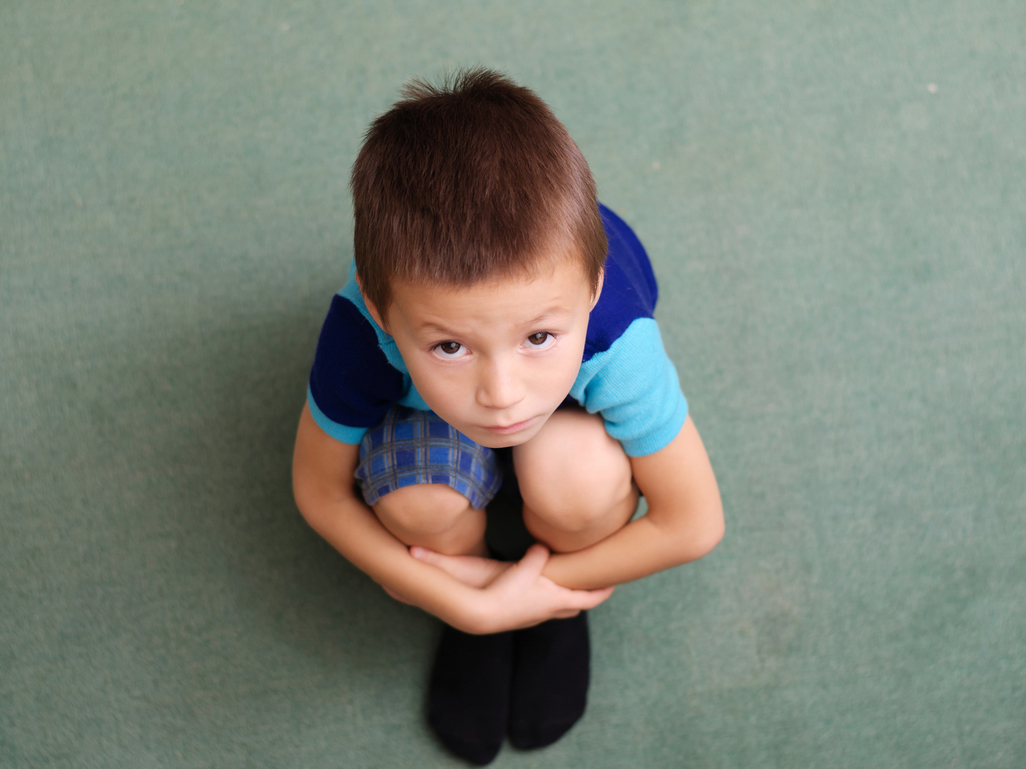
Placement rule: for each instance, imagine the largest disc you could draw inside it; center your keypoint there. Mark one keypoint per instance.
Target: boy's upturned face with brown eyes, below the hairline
(495, 359)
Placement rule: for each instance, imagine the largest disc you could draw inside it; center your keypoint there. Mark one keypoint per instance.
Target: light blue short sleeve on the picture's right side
(635, 387)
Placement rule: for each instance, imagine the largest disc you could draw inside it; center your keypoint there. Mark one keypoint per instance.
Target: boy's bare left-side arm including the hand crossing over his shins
(519, 597)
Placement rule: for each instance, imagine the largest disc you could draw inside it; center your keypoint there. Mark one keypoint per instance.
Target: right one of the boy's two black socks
(550, 681)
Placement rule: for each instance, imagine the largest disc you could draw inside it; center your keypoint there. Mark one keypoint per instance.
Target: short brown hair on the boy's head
(470, 181)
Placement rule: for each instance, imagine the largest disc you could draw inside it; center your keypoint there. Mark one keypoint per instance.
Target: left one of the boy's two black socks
(469, 694)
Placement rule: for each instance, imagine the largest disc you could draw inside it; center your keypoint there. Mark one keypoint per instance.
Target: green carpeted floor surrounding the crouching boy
(835, 198)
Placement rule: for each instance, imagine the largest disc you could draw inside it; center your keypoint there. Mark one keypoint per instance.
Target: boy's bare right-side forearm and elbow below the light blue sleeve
(685, 520)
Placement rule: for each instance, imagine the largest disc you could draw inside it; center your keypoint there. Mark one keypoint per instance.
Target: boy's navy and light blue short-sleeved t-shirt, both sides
(625, 375)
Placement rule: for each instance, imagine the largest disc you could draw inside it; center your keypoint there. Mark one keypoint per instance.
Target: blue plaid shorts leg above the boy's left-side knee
(411, 448)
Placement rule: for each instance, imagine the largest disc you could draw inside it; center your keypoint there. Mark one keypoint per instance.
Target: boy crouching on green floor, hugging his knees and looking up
(497, 326)
